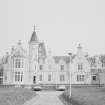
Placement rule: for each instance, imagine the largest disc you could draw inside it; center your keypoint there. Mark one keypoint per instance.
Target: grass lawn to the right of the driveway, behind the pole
(86, 96)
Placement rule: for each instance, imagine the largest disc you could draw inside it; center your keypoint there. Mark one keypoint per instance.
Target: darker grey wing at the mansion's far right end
(97, 69)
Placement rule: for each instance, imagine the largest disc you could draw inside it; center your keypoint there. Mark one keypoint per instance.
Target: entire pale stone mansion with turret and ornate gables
(34, 66)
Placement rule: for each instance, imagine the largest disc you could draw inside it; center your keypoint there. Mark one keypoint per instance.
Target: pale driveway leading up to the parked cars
(46, 98)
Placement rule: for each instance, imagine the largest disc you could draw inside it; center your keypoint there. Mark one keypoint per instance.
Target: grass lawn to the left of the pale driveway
(15, 96)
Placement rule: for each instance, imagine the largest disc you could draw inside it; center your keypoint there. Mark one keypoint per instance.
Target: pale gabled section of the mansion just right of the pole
(81, 71)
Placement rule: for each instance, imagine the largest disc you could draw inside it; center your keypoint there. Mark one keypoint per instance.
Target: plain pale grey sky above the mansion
(61, 24)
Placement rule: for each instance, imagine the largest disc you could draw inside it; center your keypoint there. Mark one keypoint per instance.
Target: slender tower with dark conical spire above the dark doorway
(33, 56)
